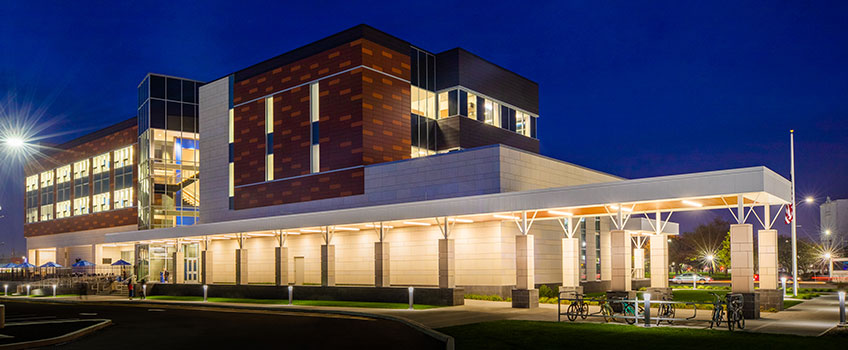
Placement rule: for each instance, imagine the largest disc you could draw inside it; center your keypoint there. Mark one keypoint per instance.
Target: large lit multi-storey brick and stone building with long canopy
(362, 161)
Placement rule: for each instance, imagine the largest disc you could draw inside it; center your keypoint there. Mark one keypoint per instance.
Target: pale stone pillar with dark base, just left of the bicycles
(525, 295)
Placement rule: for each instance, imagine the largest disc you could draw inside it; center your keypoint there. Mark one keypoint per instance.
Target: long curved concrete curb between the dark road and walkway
(444, 338)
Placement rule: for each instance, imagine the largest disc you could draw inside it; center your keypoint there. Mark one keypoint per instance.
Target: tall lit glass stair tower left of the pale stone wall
(168, 175)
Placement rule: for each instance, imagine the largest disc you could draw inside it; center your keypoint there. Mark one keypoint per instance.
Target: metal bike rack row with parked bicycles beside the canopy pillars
(644, 314)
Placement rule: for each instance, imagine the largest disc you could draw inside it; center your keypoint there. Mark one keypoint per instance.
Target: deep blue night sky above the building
(631, 88)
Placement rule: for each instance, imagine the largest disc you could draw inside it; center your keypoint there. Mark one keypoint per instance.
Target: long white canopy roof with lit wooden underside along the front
(756, 186)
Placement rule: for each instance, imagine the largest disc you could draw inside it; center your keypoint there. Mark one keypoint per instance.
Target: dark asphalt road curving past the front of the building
(152, 327)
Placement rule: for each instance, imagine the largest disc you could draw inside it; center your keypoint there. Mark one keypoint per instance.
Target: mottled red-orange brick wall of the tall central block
(363, 119)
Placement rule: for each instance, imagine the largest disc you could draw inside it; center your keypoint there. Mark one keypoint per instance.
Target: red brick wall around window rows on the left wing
(113, 218)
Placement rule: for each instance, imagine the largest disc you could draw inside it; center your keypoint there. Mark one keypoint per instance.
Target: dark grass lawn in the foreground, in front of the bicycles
(552, 335)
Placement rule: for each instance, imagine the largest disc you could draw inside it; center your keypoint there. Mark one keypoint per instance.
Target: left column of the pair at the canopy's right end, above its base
(742, 258)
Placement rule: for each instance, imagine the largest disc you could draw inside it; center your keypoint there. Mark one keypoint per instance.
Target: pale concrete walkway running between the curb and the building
(810, 318)
